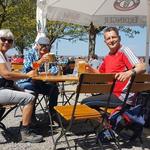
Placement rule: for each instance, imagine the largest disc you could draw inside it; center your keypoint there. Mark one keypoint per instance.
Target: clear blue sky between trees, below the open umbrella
(137, 44)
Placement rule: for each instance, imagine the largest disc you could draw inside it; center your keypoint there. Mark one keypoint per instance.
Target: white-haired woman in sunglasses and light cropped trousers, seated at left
(9, 96)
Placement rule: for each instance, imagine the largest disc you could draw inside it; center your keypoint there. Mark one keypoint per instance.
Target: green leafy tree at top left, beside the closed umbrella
(19, 16)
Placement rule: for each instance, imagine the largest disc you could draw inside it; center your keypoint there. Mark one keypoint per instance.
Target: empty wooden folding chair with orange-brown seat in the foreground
(88, 83)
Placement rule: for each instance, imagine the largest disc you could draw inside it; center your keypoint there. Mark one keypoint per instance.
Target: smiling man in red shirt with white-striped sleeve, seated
(123, 62)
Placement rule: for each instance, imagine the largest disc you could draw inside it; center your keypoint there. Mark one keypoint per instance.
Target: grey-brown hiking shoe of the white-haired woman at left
(28, 136)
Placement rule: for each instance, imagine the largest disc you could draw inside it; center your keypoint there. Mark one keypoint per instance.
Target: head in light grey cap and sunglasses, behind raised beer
(43, 45)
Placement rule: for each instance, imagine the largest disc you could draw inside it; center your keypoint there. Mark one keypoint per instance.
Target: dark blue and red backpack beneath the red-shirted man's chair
(128, 118)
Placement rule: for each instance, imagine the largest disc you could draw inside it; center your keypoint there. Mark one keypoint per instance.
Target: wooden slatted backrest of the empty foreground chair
(95, 83)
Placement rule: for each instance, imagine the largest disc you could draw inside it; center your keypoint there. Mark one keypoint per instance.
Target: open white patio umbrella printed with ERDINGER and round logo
(100, 12)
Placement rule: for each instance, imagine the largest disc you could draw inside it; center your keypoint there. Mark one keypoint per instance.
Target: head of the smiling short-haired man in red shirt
(112, 39)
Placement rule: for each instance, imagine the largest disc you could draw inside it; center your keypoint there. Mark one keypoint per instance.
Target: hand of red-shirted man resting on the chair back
(122, 76)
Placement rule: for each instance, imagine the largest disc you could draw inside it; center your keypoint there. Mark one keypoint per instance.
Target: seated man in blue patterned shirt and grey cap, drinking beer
(38, 55)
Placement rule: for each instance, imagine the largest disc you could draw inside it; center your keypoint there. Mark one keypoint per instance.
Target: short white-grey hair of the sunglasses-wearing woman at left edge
(6, 33)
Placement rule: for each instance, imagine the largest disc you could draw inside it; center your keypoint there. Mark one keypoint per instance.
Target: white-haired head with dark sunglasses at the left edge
(6, 40)
